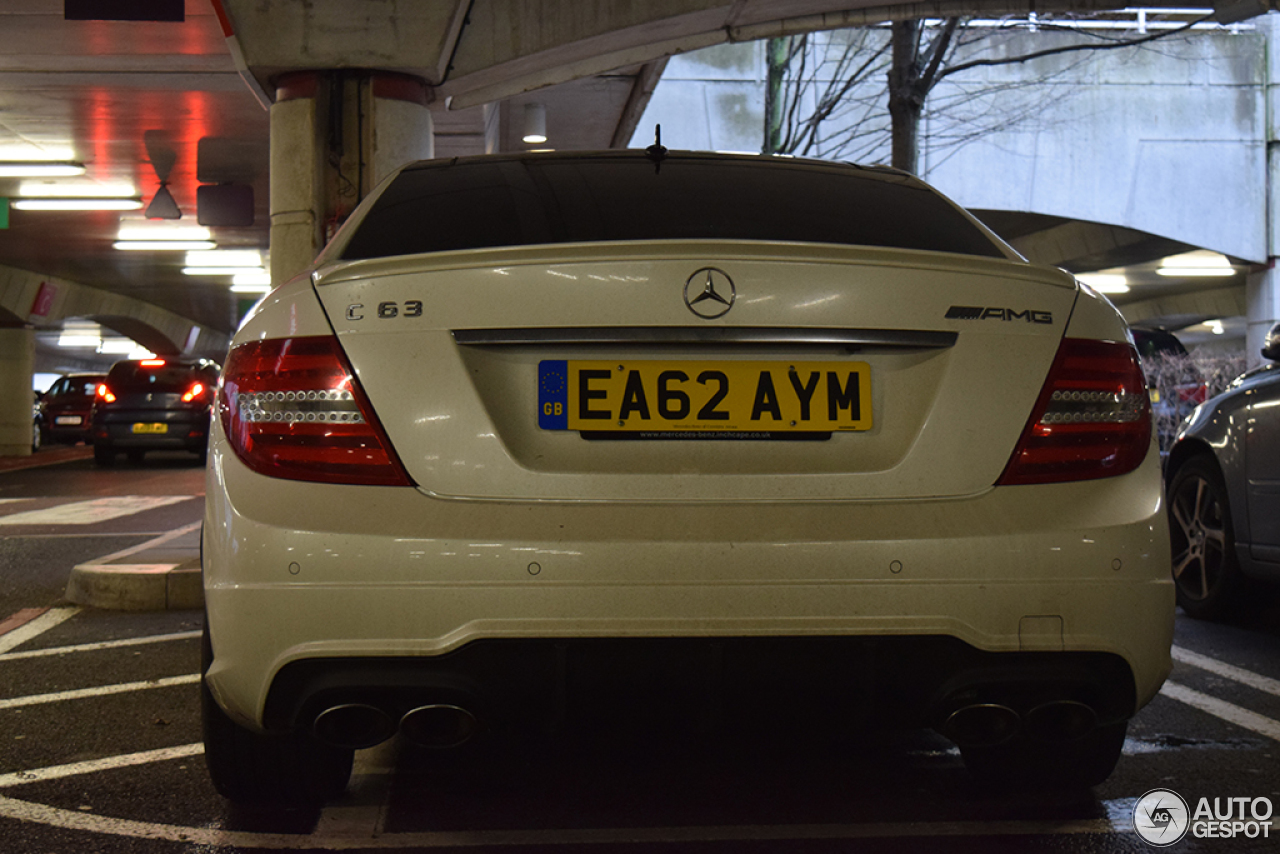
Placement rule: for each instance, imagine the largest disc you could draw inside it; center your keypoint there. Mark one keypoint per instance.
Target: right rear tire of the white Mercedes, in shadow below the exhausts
(1034, 764)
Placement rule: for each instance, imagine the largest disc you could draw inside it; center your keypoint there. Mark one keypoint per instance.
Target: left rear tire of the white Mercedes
(253, 769)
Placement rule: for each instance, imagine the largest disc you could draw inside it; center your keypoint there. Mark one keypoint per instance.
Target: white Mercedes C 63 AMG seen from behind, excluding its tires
(556, 442)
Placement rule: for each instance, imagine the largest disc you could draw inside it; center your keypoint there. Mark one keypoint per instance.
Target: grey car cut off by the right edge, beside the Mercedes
(1224, 492)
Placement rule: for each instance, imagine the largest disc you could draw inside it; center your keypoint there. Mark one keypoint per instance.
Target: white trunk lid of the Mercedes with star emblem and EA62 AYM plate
(464, 355)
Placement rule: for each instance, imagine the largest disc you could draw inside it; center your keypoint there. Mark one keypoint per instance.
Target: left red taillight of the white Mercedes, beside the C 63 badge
(292, 409)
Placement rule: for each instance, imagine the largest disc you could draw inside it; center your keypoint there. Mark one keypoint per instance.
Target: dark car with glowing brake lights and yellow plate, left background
(154, 405)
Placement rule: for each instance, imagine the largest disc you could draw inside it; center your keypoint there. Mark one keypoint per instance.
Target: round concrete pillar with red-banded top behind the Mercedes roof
(335, 136)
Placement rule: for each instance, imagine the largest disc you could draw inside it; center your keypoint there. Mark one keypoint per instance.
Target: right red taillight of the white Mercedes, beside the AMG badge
(1092, 418)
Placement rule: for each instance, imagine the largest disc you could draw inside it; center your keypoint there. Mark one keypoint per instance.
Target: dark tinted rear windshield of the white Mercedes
(449, 205)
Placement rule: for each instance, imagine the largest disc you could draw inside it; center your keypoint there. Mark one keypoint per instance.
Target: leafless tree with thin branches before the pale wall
(830, 101)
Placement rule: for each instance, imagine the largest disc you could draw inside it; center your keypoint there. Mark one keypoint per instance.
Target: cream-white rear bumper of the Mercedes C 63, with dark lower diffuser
(897, 608)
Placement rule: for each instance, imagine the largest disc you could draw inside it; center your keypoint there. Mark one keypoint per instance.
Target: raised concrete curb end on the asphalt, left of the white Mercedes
(158, 576)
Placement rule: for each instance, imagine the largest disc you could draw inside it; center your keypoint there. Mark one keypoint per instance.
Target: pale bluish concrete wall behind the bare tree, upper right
(1168, 139)
